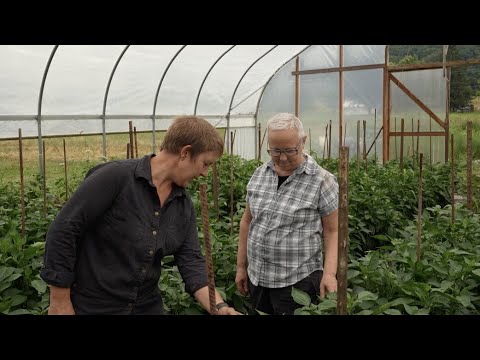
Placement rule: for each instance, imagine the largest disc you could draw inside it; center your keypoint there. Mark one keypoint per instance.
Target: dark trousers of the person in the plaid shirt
(279, 301)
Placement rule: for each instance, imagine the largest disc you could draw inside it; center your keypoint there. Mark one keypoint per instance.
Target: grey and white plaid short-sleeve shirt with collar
(284, 240)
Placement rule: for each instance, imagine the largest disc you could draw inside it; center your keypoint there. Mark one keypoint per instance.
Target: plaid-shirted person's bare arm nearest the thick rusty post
(330, 243)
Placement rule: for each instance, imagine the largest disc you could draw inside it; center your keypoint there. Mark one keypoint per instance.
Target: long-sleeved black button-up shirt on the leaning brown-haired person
(108, 241)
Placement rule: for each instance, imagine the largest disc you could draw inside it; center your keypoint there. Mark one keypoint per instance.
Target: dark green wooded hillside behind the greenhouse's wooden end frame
(465, 83)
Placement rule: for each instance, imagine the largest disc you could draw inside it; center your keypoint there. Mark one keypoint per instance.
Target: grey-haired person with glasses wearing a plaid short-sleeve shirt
(289, 230)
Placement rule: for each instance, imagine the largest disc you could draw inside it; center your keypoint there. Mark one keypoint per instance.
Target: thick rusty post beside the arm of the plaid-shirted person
(342, 232)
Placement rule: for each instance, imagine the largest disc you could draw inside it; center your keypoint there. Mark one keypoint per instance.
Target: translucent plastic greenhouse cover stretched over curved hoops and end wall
(233, 86)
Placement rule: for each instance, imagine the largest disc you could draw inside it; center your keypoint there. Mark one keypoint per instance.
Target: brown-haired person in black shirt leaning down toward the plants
(104, 249)
